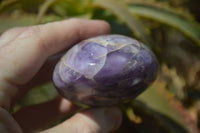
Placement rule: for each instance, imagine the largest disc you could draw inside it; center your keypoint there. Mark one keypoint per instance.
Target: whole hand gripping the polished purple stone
(24, 63)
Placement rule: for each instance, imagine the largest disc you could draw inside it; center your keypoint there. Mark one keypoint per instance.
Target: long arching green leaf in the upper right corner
(185, 25)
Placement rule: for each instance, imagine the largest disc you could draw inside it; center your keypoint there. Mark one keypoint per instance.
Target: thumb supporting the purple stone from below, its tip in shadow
(98, 120)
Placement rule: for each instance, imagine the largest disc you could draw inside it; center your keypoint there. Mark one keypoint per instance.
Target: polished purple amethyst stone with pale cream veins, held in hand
(105, 70)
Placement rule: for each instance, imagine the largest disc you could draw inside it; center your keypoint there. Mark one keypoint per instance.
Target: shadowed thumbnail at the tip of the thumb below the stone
(115, 117)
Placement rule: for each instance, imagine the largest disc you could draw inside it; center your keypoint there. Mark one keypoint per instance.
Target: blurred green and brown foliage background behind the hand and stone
(170, 28)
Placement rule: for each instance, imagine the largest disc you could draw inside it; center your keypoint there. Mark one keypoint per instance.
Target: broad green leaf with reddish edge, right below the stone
(163, 102)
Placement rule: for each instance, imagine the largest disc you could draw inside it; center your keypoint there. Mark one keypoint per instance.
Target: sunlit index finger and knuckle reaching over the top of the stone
(23, 57)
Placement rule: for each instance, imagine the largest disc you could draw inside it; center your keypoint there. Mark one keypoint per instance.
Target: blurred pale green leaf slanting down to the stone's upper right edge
(120, 10)
